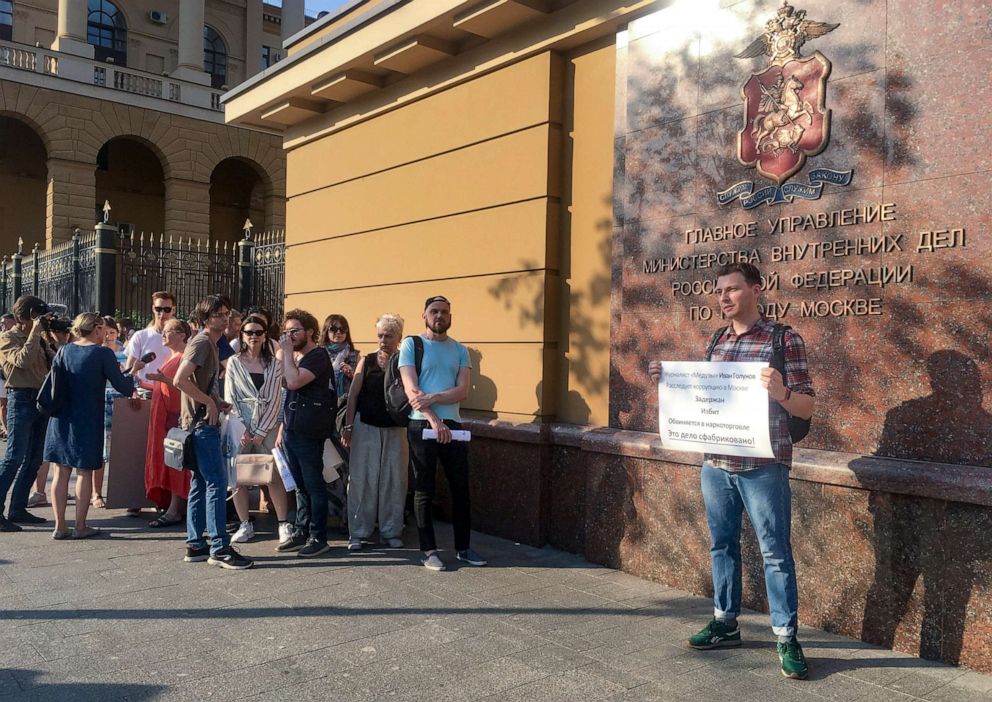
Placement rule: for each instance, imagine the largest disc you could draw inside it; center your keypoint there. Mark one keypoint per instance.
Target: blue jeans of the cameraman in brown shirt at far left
(26, 428)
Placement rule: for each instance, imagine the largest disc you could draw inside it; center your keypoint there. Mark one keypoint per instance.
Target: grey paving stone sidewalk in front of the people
(123, 618)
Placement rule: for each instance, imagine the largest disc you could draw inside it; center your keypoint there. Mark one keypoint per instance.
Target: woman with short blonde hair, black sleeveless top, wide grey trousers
(377, 488)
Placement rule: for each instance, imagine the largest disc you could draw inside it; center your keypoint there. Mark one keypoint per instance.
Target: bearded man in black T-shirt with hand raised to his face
(308, 414)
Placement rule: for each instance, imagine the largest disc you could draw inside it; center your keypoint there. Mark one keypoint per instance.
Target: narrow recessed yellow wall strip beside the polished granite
(587, 224)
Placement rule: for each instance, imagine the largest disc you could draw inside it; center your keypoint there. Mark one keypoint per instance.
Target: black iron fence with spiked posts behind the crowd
(117, 273)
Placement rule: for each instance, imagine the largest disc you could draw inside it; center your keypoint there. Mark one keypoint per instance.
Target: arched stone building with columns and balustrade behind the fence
(119, 101)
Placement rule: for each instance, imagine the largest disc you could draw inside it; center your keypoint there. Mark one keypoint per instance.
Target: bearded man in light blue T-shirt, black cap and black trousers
(435, 395)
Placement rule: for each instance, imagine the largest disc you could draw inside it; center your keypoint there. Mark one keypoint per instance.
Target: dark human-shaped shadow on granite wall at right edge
(939, 541)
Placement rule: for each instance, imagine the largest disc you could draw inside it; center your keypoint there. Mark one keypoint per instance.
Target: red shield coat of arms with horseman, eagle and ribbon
(785, 115)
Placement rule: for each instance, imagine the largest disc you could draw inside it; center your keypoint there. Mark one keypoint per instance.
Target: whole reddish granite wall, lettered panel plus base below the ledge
(888, 279)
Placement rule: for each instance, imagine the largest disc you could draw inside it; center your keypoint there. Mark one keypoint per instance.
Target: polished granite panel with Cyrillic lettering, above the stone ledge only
(896, 316)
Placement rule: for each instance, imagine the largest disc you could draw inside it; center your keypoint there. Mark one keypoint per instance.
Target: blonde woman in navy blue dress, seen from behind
(75, 433)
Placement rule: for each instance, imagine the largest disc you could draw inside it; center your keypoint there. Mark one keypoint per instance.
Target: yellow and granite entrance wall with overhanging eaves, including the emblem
(570, 173)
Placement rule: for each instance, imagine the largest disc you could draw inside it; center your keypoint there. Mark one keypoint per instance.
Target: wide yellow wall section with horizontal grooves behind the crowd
(444, 197)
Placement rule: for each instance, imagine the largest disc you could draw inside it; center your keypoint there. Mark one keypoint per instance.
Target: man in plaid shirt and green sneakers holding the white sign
(733, 483)
